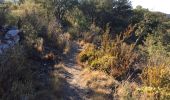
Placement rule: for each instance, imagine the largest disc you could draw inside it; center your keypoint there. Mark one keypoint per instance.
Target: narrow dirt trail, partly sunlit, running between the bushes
(70, 70)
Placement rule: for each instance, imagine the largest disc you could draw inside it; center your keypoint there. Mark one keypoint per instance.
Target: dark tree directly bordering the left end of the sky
(122, 13)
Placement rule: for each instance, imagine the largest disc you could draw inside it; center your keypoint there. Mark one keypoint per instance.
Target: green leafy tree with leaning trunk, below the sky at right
(146, 22)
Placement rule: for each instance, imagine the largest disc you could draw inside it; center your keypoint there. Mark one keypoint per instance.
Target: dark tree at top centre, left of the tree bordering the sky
(95, 10)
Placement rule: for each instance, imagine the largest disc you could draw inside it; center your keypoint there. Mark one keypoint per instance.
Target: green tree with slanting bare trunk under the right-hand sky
(151, 23)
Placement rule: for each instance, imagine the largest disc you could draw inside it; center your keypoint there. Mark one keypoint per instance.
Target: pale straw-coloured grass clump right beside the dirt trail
(99, 82)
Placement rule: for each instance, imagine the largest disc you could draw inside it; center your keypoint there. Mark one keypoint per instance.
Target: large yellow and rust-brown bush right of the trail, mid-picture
(114, 57)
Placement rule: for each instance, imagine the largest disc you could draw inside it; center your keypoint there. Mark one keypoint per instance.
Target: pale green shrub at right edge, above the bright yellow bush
(155, 51)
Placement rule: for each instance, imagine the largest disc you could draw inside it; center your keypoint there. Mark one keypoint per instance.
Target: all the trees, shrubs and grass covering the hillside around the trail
(125, 52)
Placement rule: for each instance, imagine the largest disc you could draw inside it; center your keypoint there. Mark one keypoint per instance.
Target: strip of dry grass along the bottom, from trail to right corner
(105, 86)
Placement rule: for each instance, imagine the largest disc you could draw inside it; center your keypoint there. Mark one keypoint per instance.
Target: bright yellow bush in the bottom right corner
(156, 81)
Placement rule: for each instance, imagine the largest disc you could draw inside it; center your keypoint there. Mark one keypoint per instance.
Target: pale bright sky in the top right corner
(153, 5)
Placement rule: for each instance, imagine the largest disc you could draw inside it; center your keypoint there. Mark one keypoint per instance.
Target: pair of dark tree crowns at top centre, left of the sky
(102, 12)
